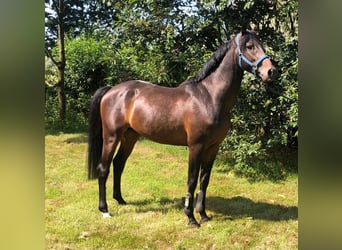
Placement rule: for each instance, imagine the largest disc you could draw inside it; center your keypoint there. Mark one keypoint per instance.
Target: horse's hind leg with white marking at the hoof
(109, 145)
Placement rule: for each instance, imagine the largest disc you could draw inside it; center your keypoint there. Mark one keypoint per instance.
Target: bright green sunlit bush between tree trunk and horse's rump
(88, 66)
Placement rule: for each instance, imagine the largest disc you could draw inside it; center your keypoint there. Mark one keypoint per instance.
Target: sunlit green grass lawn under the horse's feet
(261, 215)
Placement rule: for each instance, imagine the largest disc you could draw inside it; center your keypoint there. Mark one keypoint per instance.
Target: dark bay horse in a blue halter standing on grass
(194, 114)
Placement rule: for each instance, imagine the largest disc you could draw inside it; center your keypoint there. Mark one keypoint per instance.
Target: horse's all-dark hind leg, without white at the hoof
(128, 141)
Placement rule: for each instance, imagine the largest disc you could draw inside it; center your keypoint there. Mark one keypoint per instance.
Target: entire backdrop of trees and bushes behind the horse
(93, 43)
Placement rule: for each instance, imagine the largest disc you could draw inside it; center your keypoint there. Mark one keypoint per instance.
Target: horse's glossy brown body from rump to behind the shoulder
(154, 112)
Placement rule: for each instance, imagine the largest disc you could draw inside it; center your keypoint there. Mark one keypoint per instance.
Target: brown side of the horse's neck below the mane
(223, 84)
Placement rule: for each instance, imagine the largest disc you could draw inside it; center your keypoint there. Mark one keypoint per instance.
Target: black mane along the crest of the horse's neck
(211, 65)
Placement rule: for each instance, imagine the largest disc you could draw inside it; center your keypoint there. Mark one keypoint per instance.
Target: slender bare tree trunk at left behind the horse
(61, 62)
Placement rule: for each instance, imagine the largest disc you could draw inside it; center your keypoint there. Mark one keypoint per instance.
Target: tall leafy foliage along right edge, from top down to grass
(263, 140)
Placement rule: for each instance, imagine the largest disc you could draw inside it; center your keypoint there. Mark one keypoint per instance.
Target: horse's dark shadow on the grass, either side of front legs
(231, 208)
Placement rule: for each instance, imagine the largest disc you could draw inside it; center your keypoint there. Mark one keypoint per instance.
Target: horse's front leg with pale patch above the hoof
(193, 172)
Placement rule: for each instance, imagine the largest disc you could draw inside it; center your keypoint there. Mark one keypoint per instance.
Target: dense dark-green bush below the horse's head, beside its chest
(262, 143)
